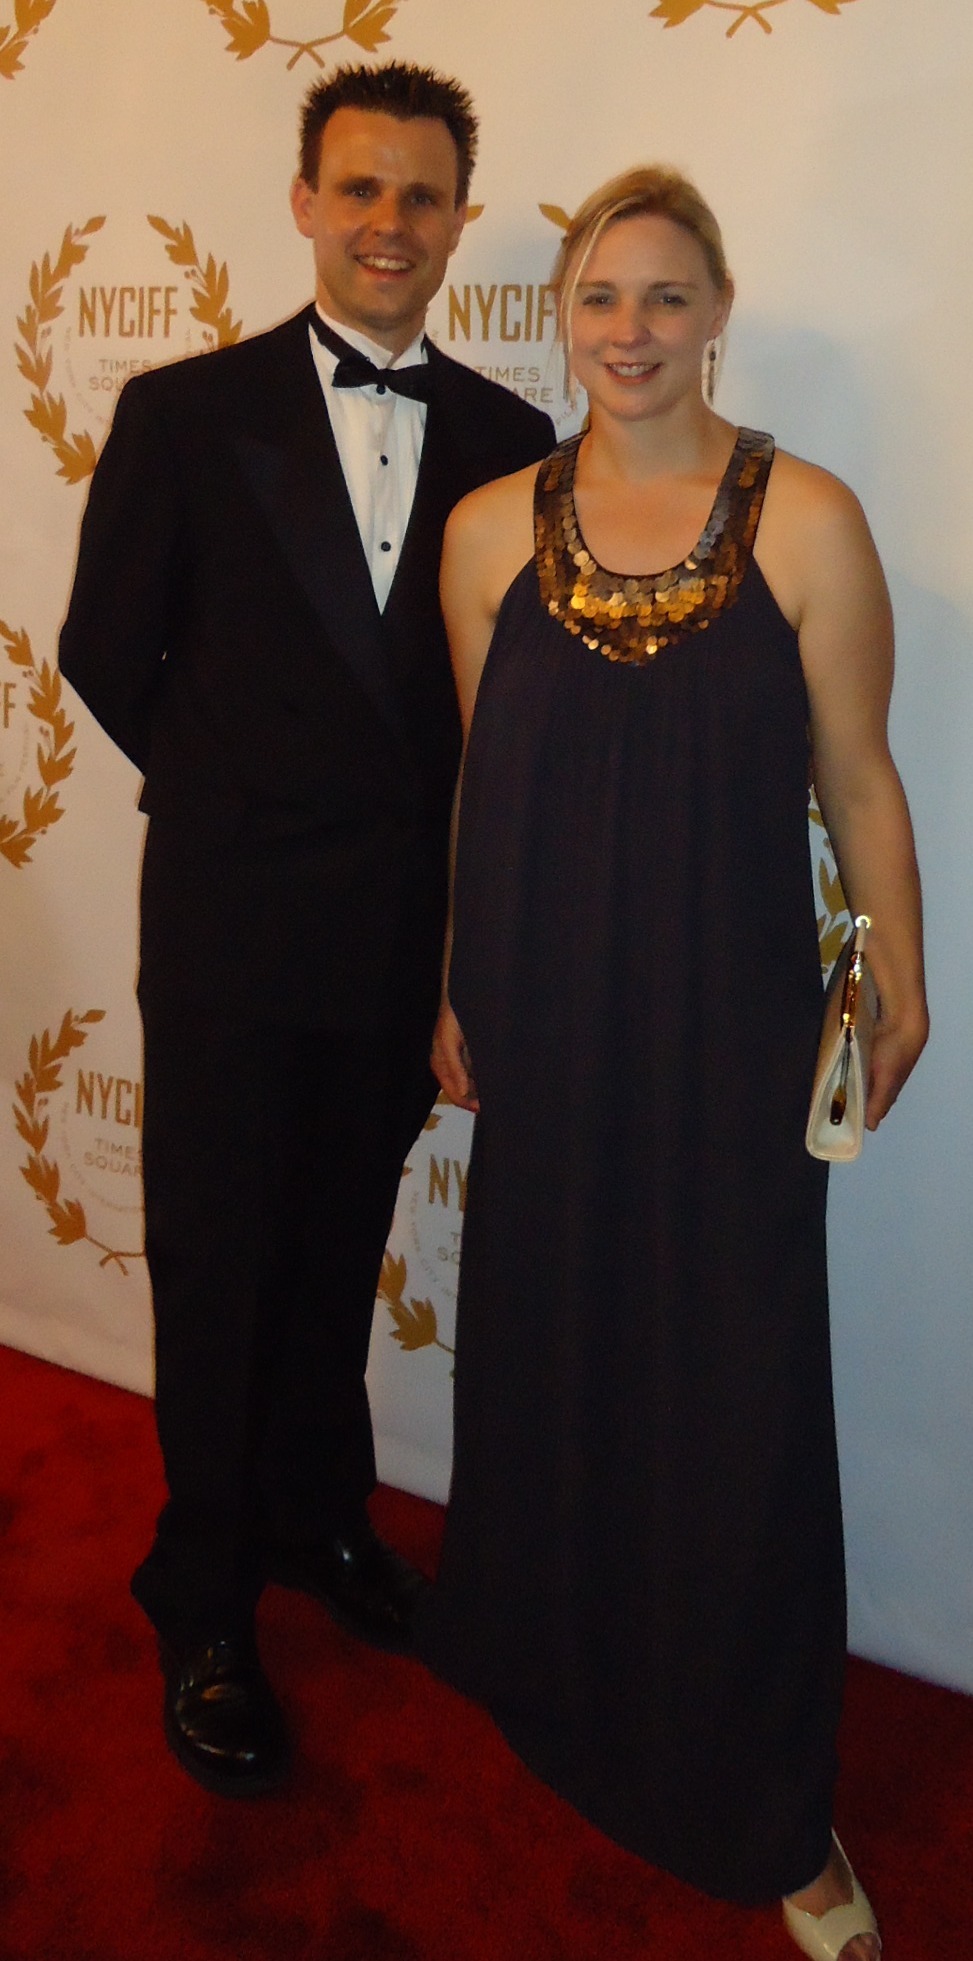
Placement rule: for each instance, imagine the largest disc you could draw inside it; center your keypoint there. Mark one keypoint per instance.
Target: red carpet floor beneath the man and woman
(409, 1833)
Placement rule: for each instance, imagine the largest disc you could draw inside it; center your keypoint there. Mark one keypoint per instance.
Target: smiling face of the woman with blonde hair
(642, 315)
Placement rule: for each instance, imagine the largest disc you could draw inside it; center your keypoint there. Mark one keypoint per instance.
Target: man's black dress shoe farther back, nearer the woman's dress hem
(364, 1584)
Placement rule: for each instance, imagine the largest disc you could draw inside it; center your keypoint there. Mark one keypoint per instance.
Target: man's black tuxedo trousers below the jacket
(272, 1170)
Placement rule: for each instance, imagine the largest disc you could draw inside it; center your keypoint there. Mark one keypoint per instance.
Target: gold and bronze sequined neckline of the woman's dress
(631, 619)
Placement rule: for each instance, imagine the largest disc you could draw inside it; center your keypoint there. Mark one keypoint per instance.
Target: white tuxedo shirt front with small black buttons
(380, 446)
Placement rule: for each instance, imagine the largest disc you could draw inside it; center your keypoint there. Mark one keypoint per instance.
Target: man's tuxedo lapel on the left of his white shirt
(293, 468)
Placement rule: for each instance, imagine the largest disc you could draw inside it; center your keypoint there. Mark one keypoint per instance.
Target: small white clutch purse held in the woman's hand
(837, 1119)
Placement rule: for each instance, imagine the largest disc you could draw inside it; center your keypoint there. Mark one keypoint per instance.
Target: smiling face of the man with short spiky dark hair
(384, 221)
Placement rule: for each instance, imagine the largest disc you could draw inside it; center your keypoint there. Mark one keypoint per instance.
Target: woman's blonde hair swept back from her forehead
(650, 191)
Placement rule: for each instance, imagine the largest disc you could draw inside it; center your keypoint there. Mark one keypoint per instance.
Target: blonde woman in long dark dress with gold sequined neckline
(642, 1572)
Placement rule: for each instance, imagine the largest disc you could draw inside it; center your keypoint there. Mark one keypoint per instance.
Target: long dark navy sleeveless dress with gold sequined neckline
(642, 1574)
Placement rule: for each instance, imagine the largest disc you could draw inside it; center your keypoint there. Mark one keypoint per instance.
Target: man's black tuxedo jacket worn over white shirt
(299, 748)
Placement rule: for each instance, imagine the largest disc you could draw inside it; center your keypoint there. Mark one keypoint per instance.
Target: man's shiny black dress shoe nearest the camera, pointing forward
(223, 1719)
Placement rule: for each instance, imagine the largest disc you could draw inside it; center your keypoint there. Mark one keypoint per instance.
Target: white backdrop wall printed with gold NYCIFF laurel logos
(148, 152)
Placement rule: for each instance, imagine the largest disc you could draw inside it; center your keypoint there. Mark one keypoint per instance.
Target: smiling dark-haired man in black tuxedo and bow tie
(256, 625)
